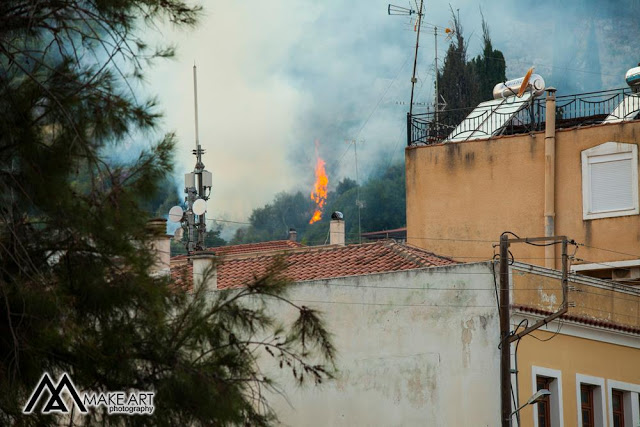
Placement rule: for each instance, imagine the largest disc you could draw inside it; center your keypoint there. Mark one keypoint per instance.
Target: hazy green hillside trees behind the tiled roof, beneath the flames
(384, 207)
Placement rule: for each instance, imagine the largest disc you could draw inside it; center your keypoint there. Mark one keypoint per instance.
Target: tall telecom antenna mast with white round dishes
(198, 189)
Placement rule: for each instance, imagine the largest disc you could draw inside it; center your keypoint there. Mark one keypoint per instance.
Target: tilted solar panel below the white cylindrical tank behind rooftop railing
(488, 118)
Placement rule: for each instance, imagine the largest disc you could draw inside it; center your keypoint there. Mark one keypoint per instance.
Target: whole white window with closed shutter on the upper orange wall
(610, 180)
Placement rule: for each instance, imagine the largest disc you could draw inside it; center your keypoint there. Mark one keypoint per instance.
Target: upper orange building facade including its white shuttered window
(462, 195)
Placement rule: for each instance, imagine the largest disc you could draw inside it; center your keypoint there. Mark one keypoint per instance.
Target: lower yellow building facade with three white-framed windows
(589, 359)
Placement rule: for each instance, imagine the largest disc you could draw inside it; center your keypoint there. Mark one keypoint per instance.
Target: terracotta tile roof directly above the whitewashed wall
(317, 262)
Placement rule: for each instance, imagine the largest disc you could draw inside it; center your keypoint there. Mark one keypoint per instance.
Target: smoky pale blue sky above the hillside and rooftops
(274, 76)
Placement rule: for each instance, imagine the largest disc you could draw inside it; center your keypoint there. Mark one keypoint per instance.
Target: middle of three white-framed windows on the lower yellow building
(591, 401)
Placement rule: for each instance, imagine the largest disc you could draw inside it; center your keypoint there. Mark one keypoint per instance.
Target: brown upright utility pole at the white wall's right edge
(505, 346)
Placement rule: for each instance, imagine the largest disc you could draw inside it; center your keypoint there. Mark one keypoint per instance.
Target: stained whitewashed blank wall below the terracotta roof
(416, 347)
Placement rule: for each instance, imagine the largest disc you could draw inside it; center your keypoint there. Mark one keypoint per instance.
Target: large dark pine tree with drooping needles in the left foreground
(76, 293)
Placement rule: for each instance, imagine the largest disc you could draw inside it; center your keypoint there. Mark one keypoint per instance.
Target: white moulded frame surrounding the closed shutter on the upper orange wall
(613, 150)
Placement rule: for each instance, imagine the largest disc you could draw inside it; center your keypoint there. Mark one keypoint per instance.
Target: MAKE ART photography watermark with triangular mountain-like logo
(116, 402)
